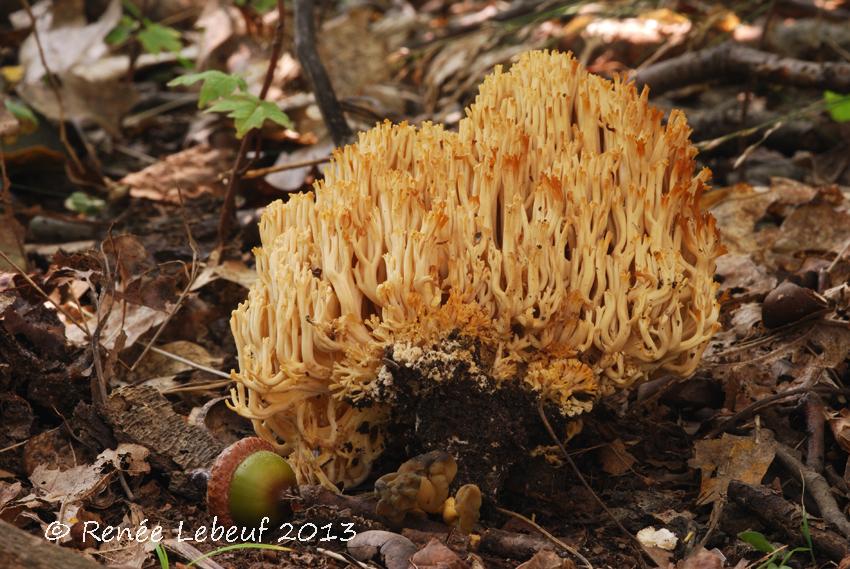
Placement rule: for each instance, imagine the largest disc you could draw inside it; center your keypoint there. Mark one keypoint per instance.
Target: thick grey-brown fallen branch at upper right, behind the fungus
(732, 61)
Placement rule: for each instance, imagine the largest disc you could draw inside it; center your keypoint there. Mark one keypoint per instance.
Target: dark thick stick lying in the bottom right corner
(781, 515)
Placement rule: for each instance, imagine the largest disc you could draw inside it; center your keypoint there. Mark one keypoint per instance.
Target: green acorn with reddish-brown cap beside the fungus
(247, 482)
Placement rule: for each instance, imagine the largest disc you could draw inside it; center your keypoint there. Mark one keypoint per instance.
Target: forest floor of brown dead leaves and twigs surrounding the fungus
(130, 214)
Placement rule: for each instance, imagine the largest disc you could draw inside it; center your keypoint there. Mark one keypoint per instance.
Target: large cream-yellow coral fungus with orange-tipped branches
(559, 228)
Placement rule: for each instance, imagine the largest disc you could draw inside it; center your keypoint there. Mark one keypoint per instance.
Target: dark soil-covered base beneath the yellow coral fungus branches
(440, 402)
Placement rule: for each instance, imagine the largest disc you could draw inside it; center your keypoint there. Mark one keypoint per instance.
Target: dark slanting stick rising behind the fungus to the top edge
(305, 48)
